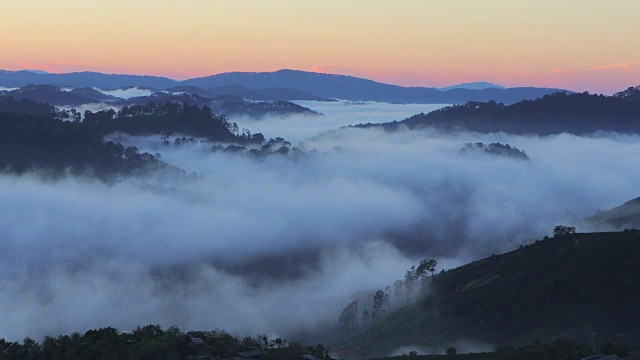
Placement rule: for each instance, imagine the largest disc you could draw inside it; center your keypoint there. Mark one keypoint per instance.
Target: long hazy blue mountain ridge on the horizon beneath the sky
(285, 85)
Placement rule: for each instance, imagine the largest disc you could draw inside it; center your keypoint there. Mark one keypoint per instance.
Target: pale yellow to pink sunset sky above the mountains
(582, 45)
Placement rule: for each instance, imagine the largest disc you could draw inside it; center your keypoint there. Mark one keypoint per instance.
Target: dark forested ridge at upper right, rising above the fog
(552, 114)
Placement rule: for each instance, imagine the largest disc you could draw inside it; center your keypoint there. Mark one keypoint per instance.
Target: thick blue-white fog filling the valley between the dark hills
(279, 245)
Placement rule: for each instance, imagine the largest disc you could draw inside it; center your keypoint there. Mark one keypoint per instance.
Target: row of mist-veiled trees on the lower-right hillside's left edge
(404, 291)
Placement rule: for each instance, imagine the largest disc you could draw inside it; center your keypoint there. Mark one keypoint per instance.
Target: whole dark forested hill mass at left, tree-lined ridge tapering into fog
(38, 136)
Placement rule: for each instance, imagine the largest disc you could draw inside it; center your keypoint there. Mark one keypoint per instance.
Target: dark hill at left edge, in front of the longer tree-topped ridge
(53, 147)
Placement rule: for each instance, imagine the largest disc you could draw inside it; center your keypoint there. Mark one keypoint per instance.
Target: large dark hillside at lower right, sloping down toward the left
(564, 287)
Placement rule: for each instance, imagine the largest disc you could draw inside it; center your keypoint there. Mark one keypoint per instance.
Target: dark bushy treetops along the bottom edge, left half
(152, 342)
